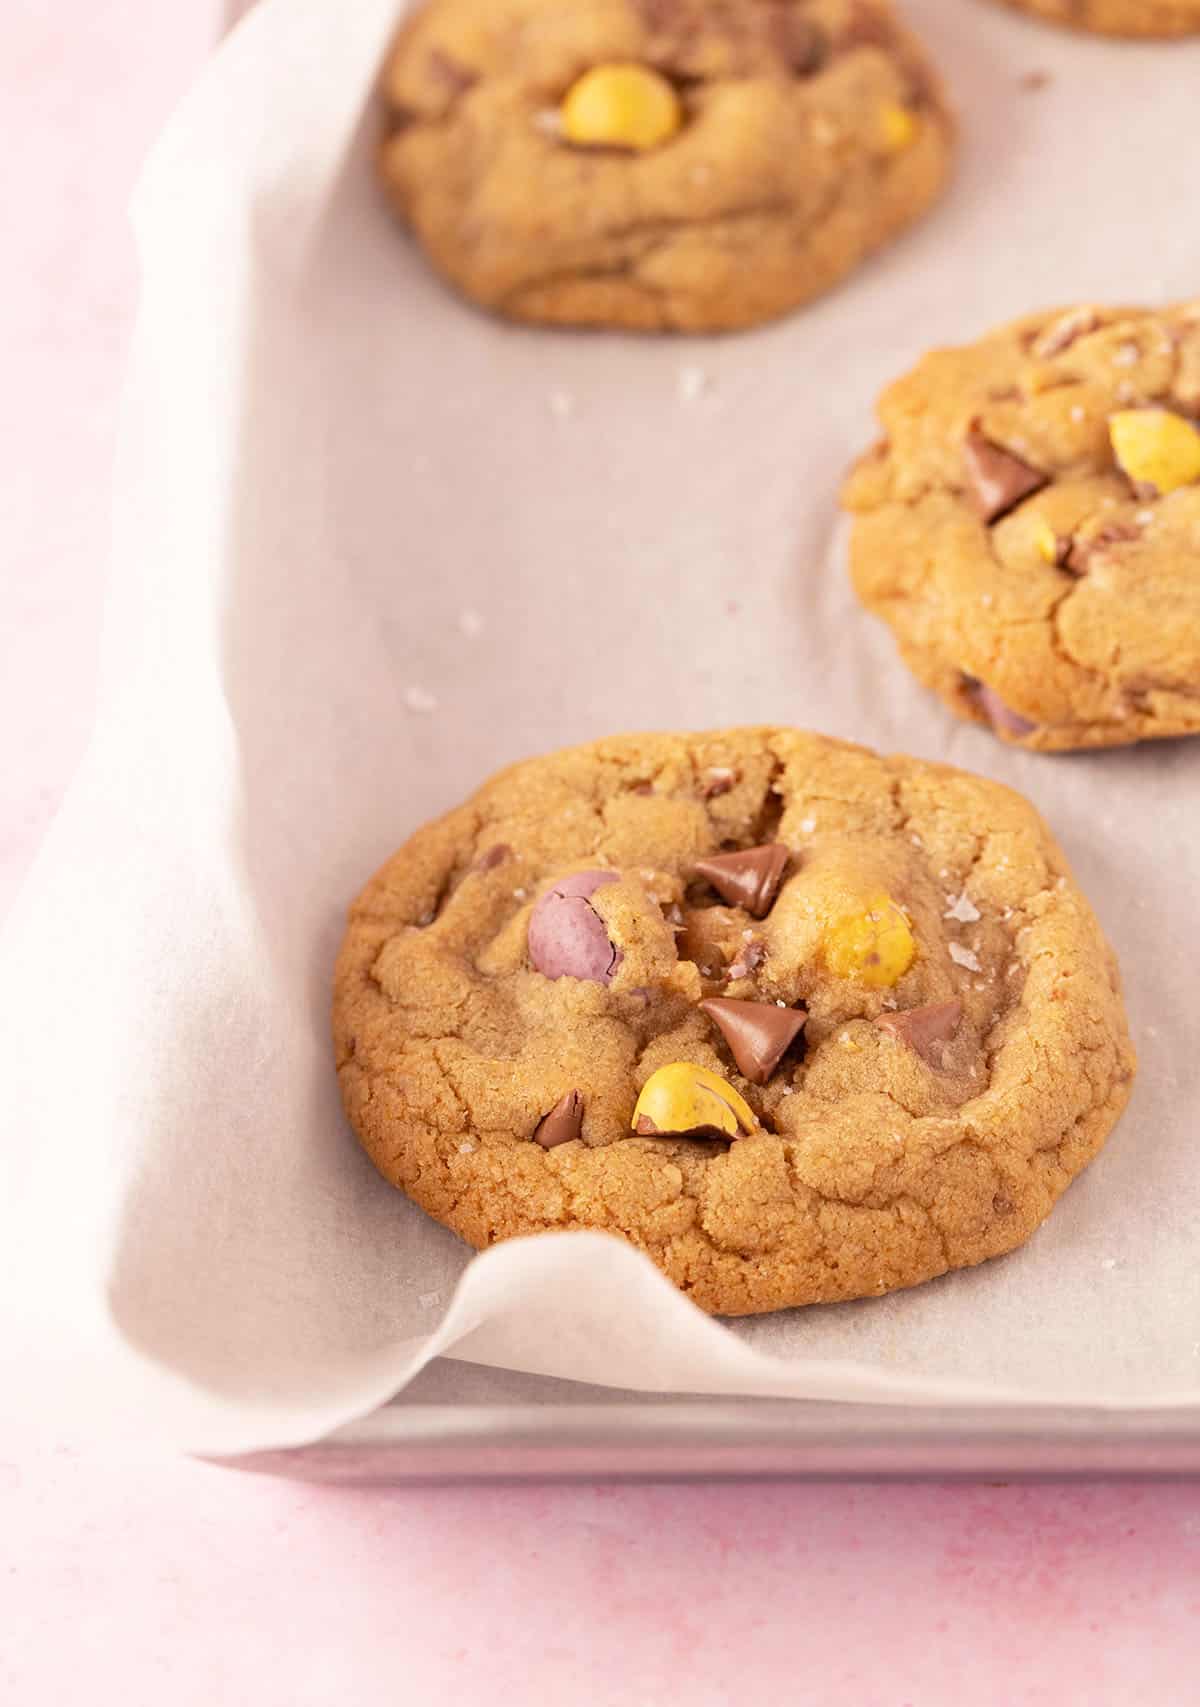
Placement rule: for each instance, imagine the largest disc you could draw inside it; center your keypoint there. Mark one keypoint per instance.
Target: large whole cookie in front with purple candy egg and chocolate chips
(798, 1022)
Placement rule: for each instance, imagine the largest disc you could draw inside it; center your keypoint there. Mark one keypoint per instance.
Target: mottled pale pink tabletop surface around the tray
(156, 1582)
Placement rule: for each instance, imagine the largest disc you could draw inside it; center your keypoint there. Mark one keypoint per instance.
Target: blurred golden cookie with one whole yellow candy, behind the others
(658, 165)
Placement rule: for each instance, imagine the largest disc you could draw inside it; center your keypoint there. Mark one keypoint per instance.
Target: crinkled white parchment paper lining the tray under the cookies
(373, 545)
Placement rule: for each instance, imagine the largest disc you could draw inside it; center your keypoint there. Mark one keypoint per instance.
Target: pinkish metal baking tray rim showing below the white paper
(463, 1423)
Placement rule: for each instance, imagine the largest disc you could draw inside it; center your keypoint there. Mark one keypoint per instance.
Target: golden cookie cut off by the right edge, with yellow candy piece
(1028, 527)
